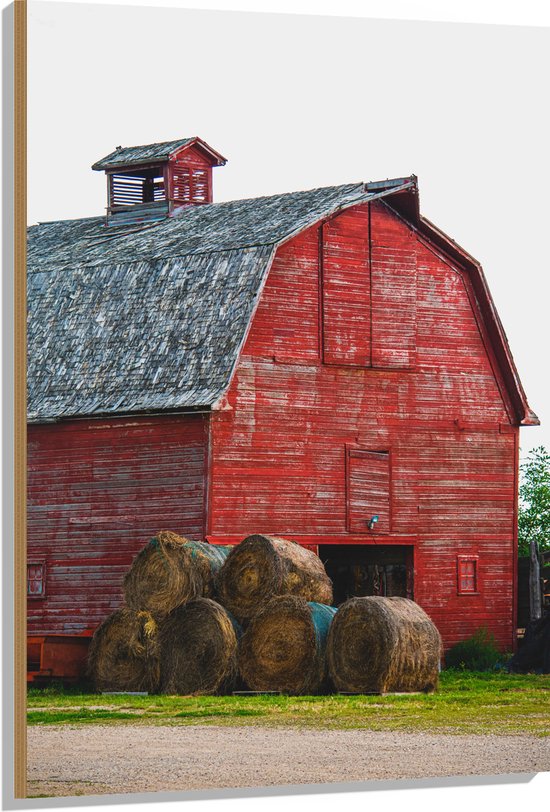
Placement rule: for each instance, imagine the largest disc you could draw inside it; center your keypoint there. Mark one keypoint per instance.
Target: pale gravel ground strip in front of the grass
(99, 759)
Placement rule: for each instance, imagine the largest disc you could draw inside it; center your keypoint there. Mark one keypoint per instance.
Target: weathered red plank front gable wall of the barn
(430, 395)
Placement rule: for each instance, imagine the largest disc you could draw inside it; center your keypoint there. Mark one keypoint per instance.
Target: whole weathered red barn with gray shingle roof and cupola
(323, 365)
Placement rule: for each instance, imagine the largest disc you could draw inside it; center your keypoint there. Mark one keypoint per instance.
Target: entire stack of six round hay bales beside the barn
(202, 619)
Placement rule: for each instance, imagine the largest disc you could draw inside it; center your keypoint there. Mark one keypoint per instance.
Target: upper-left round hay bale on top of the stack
(170, 571)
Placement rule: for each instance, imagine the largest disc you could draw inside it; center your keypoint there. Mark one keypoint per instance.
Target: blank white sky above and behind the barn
(296, 102)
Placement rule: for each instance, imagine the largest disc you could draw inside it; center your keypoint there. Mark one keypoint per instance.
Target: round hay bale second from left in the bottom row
(198, 649)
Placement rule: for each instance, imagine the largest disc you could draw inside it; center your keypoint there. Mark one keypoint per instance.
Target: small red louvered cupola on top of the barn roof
(154, 181)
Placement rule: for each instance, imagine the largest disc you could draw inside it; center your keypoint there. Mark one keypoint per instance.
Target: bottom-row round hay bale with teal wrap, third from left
(283, 648)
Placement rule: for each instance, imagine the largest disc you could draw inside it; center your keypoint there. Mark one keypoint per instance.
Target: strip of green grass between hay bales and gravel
(466, 702)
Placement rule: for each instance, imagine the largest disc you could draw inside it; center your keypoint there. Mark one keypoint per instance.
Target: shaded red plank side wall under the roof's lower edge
(97, 491)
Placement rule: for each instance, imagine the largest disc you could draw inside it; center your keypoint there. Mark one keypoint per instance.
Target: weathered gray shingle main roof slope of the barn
(150, 317)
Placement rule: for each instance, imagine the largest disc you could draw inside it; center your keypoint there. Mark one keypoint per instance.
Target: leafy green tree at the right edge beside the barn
(534, 501)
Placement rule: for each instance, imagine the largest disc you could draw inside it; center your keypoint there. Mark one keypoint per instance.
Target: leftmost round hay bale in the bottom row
(124, 653)
